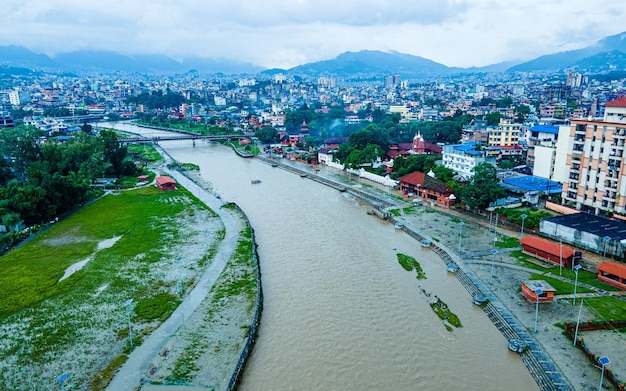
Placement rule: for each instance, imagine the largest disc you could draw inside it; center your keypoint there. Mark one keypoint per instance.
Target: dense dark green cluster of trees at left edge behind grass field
(40, 181)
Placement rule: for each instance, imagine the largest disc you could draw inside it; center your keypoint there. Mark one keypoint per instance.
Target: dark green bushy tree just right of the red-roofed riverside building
(483, 187)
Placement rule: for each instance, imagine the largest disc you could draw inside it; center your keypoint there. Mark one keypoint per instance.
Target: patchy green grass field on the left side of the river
(124, 246)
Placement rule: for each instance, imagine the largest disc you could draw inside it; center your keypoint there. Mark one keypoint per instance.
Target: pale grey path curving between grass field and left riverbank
(130, 375)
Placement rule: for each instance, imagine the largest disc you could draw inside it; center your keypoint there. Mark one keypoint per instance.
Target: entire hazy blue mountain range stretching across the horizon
(607, 54)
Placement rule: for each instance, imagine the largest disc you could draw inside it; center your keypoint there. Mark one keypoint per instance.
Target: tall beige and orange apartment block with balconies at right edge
(595, 175)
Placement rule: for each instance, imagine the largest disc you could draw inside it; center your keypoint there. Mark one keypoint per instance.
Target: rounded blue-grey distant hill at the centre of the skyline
(373, 62)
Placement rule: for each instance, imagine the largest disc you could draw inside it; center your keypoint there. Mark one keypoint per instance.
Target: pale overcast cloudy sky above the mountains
(286, 33)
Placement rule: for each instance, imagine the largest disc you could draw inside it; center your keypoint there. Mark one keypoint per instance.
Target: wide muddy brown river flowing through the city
(340, 313)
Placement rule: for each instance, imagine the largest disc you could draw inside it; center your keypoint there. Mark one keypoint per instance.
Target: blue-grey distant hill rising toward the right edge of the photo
(587, 59)
